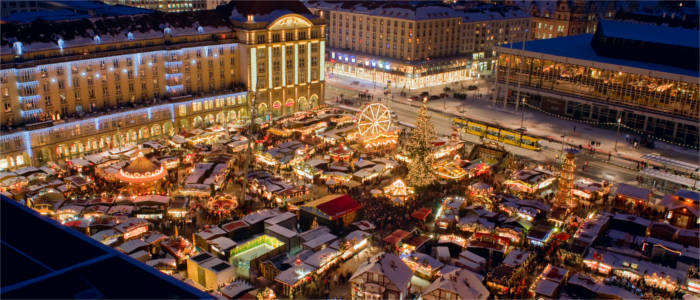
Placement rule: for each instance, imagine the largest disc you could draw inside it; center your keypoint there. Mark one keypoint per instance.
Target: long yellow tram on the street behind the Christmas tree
(497, 134)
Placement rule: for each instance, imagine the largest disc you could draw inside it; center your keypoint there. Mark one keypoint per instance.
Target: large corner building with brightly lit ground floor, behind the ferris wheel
(414, 45)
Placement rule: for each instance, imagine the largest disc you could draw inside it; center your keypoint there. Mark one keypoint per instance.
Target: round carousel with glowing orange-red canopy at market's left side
(141, 172)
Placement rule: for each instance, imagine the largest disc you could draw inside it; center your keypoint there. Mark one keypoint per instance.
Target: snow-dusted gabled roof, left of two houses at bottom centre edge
(389, 265)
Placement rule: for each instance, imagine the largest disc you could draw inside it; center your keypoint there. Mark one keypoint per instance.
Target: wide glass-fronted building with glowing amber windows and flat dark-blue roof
(602, 79)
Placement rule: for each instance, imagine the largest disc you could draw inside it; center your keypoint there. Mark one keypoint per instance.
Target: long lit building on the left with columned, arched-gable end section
(101, 83)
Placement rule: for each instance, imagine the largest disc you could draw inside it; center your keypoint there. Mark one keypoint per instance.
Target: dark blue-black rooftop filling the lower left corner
(79, 268)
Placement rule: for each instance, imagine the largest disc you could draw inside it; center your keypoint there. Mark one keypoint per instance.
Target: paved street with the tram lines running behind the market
(535, 122)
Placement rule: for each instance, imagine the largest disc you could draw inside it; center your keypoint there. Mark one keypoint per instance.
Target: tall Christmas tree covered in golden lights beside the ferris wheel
(419, 147)
